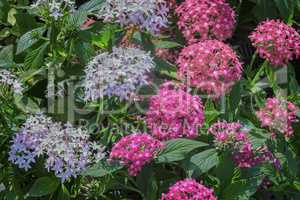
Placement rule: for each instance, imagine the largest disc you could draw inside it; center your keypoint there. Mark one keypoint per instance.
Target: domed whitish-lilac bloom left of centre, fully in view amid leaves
(118, 74)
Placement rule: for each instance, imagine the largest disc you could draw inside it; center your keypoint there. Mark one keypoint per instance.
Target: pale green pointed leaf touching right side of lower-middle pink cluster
(177, 149)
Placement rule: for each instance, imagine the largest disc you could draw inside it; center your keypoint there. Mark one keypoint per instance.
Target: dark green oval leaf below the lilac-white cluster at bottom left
(43, 186)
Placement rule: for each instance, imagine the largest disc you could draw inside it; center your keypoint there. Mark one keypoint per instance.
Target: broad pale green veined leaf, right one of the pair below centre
(205, 160)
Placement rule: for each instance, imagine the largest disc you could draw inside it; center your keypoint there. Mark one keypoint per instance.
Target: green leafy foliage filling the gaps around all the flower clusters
(60, 52)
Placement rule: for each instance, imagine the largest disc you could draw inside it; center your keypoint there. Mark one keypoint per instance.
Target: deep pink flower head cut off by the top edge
(205, 19)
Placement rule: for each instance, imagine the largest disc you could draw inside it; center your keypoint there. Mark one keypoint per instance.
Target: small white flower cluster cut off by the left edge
(9, 79)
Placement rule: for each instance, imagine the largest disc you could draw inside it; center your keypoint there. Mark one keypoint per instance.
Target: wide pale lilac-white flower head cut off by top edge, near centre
(150, 15)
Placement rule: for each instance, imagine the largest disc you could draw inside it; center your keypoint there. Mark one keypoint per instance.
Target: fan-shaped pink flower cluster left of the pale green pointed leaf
(134, 151)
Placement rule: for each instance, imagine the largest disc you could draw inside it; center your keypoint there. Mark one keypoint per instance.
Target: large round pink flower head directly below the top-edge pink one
(211, 66)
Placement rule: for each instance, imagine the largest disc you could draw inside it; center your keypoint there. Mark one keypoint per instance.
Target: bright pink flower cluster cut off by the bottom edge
(189, 189)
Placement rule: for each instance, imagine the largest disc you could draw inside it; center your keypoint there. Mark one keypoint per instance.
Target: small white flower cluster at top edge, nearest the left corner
(56, 8)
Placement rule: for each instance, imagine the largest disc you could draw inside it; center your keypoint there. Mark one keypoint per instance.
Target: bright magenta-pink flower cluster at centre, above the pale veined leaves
(174, 113)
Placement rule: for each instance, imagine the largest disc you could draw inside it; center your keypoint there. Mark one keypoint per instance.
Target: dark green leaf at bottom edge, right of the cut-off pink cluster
(242, 189)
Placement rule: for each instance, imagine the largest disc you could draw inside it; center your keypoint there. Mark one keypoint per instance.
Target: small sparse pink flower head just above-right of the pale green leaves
(228, 134)
